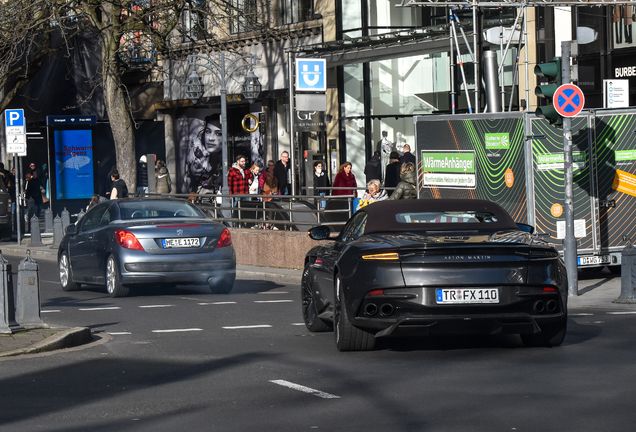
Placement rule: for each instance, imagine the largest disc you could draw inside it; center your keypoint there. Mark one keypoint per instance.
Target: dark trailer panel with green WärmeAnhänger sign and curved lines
(473, 158)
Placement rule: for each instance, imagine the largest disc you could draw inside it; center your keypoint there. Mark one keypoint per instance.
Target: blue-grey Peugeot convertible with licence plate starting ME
(165, 242)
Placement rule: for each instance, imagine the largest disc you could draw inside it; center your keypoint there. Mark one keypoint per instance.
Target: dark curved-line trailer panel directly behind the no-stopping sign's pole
(549, 181)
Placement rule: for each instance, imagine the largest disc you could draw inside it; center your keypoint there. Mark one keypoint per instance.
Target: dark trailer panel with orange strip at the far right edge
(616, 155)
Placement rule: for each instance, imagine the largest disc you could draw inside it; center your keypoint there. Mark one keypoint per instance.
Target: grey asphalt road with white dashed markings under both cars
(191, 360)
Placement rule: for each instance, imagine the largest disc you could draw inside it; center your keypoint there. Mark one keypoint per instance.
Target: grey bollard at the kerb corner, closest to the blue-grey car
(27, 305)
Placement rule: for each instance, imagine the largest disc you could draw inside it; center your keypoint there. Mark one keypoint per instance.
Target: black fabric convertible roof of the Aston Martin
(382, 215)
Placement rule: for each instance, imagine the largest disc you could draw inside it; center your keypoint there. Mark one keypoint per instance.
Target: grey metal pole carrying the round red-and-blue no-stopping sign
(569, 243)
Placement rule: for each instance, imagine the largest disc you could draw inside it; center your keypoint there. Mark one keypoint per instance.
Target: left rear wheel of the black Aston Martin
(348, 337)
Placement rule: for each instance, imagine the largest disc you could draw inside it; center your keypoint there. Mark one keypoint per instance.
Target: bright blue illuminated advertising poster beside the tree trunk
(73, 164)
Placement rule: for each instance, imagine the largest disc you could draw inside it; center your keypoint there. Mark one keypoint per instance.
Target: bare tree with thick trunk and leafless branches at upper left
(169, 28)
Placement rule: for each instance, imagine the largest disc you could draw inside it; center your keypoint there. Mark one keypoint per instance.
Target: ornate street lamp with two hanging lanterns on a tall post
(223, 73)
